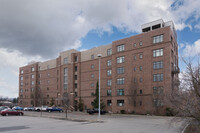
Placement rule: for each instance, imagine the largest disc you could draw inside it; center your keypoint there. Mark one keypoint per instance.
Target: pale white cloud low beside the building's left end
(10, 61)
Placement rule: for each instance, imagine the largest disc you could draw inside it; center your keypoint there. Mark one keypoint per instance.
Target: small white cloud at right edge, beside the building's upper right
(192, 50)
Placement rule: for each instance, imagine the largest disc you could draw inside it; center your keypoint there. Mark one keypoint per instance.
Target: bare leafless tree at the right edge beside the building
(185, 100)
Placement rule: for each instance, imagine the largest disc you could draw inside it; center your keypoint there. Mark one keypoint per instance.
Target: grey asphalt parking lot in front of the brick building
(84, 123)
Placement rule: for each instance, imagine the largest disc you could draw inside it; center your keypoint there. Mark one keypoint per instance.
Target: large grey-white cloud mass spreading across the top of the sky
(49, 26)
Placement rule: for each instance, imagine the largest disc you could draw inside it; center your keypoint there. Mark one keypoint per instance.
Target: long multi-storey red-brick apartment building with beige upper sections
(136, 73)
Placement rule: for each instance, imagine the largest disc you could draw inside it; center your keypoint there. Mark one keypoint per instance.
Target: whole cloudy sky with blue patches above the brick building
(37, 30)
